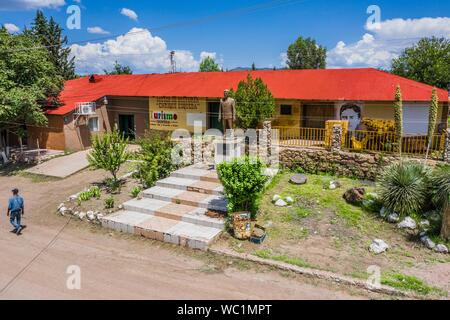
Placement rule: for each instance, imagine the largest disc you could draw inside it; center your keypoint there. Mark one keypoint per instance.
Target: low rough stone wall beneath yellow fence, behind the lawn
(353, 165)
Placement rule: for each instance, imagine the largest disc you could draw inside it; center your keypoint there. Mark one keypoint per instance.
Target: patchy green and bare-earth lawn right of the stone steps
(320, 230)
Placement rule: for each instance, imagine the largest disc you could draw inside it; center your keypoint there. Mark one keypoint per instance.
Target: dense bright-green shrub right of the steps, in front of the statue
(243, 183)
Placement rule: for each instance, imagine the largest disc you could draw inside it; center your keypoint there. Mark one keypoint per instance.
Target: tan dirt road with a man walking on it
(115, 266)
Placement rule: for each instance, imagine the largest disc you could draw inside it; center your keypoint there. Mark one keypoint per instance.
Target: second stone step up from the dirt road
(174, 211)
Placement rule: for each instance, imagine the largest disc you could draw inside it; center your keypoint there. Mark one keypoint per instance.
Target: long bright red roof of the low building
(326, 85)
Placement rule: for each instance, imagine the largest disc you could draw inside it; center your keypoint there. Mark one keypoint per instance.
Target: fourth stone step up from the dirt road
(191, 185)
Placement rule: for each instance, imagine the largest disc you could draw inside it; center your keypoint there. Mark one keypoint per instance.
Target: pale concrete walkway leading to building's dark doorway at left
(62, 167)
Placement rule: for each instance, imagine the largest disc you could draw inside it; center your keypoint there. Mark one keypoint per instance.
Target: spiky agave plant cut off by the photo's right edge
(440, 186)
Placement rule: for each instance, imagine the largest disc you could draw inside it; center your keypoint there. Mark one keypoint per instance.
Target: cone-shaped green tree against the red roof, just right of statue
(254, 102)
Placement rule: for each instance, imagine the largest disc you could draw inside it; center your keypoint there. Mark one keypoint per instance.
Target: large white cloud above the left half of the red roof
(138, 48)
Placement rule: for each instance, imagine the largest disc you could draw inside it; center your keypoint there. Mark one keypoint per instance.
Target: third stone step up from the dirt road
(190, 198)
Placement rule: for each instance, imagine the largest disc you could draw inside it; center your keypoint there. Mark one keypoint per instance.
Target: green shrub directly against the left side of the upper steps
(156, 157)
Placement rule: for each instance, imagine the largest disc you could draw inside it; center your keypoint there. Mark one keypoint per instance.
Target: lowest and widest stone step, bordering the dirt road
(163, 229)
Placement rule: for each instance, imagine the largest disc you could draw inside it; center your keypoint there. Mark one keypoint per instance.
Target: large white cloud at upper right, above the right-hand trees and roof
(385, 42)
